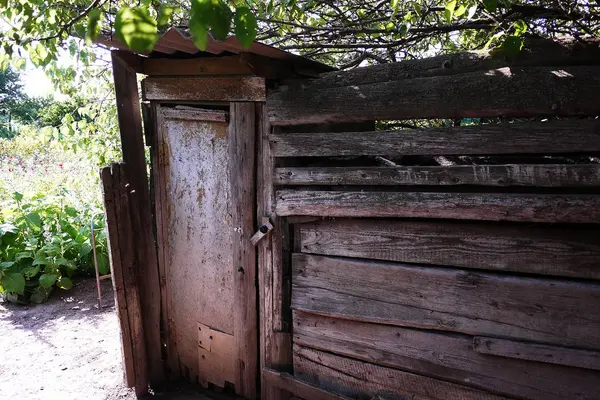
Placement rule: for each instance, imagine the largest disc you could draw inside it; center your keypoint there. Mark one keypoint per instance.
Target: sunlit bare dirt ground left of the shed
(66, 348)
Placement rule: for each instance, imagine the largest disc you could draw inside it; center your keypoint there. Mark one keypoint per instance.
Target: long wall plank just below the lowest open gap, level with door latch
(476, 206)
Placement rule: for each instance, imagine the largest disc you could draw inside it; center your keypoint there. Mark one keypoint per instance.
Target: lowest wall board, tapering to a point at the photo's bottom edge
(361, 380)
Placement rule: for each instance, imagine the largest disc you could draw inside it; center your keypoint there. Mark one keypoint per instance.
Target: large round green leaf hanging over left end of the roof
(136, 28)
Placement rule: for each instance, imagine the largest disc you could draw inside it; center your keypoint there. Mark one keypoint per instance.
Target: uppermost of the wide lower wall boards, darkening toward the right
(531, 249)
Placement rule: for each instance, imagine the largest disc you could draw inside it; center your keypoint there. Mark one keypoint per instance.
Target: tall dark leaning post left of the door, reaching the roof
(130, 126)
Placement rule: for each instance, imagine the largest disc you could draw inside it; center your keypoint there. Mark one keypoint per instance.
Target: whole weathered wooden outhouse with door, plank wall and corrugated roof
(425, 229)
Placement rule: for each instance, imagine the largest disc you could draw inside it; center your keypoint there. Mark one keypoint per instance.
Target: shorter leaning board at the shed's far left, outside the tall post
(119, 204)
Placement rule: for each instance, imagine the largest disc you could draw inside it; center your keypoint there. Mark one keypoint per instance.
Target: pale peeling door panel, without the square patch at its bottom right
(199, 230)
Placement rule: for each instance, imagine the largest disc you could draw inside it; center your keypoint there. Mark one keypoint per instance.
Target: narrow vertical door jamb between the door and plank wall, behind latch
(275, 346)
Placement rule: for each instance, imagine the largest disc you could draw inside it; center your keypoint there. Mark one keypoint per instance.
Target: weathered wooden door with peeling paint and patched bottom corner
(204, 192)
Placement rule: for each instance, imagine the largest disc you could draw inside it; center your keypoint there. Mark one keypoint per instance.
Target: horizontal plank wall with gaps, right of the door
(445, 262)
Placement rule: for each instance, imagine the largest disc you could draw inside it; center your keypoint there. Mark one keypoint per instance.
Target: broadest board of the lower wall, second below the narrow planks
(474, 303)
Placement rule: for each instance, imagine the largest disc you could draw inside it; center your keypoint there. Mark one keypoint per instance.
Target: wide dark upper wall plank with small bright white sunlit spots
(526, 91)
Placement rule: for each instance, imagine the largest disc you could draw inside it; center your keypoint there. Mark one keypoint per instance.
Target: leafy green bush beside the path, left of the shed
(43, 243)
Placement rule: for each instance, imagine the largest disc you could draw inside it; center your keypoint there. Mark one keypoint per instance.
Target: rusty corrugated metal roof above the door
(176, 43)
